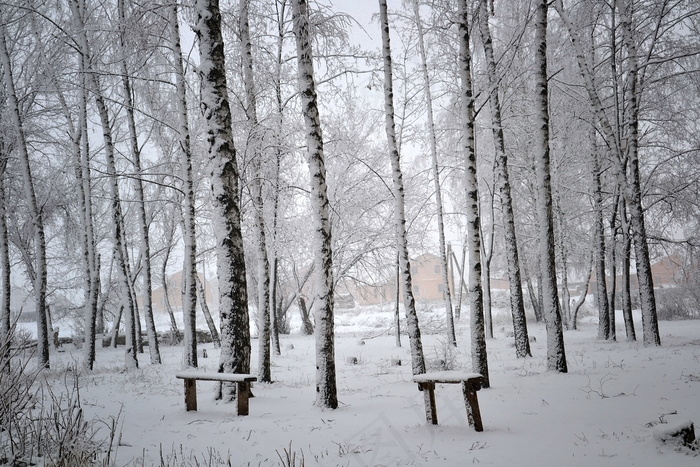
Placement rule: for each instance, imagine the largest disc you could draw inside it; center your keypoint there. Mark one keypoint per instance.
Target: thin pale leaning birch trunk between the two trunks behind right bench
(436, 176)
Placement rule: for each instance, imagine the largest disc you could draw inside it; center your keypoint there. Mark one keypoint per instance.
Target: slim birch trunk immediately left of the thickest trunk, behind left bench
(189, 299)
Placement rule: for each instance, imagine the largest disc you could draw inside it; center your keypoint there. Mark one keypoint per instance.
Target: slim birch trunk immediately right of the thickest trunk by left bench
(255, 142)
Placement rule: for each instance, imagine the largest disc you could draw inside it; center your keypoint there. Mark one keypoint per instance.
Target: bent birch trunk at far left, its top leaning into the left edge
(40, 276)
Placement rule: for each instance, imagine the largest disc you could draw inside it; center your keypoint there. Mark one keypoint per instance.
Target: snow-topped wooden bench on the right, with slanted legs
(471, 382)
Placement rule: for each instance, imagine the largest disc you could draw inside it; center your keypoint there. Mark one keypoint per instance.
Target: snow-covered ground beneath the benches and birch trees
(604, 412)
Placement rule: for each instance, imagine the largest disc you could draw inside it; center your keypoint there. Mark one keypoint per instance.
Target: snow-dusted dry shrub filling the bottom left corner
(46, 426)
